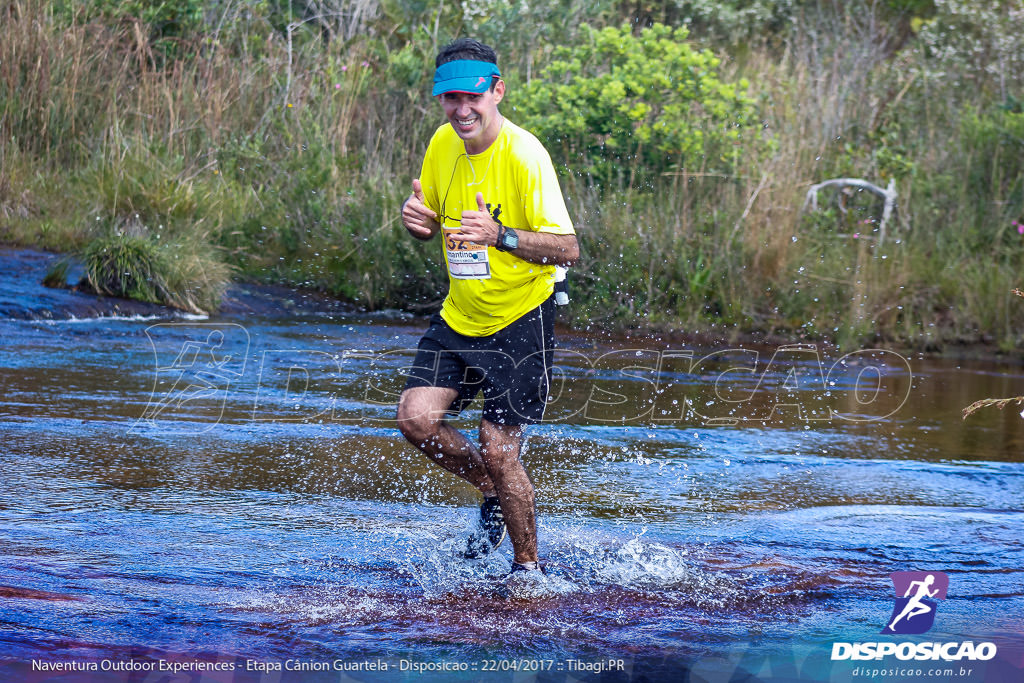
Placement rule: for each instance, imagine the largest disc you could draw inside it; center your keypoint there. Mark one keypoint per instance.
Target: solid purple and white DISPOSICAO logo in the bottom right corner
(918, 596)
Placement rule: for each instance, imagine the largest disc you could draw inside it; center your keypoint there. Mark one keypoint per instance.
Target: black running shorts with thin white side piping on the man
(513, 367)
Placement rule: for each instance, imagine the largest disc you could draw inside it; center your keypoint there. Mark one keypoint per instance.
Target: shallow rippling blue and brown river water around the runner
(232, 493)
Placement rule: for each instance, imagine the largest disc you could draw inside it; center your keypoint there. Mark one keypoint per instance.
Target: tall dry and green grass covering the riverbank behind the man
(283, 150)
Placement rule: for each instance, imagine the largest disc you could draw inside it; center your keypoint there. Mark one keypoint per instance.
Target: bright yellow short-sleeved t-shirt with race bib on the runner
(489, 289)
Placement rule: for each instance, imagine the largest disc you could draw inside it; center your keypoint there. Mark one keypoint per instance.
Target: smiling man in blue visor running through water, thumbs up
(490, 189)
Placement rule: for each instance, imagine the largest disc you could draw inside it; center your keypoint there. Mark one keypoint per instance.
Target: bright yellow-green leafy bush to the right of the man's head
(625, 109)
